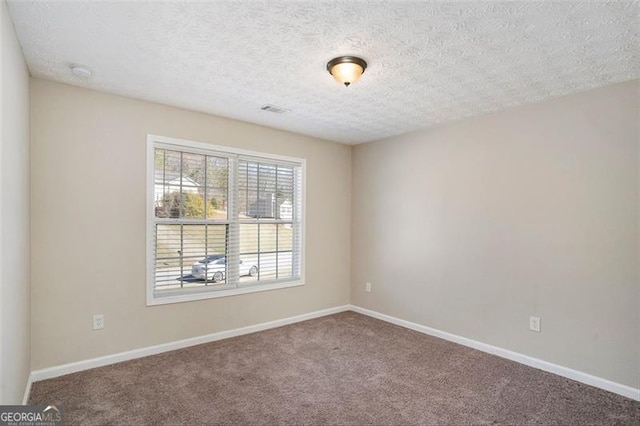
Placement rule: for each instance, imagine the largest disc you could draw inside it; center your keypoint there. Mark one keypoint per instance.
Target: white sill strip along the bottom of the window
(180, 296)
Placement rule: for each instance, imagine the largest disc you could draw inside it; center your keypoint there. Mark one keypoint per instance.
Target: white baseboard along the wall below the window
(61, 370)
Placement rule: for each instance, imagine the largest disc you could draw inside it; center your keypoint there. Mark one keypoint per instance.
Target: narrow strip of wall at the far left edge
(14, 218)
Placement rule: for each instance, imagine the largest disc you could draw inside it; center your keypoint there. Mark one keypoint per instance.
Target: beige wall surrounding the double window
(88, 220)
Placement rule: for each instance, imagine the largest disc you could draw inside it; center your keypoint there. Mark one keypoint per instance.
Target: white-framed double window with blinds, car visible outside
(221, 221)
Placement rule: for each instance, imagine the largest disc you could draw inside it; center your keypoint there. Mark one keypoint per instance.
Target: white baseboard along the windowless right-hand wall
(569, 373)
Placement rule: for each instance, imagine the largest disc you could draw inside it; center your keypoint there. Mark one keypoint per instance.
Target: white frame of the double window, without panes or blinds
(154, 141)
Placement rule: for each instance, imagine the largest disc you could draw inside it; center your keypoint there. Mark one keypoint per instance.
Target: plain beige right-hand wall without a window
(472, 227)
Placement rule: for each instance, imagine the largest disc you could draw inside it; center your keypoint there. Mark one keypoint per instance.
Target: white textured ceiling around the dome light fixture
(429, 62)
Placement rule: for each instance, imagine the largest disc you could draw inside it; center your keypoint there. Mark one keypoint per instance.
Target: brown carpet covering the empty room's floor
(340, 369)
